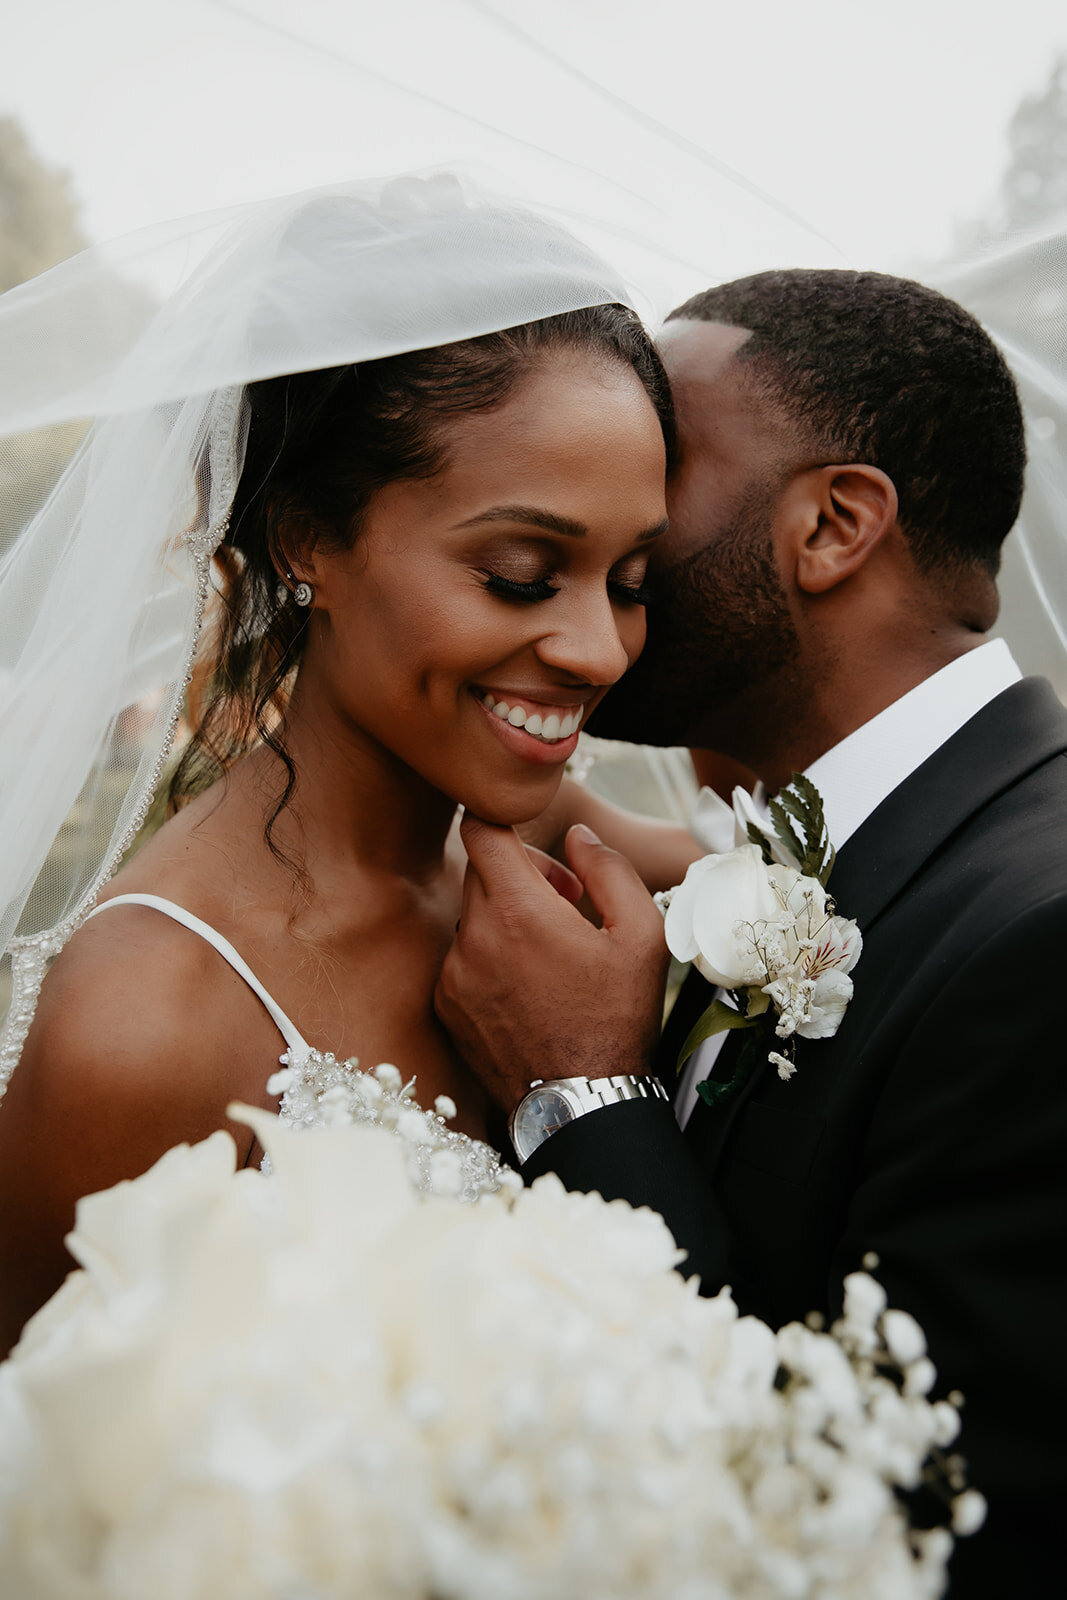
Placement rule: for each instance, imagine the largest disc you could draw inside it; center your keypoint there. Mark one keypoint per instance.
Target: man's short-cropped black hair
(882, 370)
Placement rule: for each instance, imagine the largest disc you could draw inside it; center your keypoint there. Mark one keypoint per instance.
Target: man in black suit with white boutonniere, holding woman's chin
(850, 463)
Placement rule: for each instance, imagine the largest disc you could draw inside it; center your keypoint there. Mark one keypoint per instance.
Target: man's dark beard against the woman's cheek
(719, 636)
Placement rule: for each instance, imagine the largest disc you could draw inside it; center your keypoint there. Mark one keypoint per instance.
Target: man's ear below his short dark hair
(837, 518)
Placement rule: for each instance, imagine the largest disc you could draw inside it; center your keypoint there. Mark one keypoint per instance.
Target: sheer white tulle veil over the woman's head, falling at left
(103, 590)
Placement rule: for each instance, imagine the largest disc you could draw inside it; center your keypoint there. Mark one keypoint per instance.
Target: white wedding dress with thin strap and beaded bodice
(319, 1090)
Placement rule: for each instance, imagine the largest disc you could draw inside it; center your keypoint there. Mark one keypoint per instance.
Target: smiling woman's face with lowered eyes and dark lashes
(484, 612)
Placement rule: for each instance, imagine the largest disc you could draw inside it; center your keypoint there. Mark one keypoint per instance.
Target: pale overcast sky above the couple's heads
(881, 126)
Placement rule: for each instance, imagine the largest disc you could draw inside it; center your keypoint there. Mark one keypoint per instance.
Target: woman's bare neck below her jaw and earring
(356, 804)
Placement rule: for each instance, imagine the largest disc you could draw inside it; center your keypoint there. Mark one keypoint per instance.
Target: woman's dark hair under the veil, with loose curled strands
(319, 447)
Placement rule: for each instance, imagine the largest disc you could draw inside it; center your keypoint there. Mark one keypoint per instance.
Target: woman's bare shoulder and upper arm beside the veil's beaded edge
(126, 1058)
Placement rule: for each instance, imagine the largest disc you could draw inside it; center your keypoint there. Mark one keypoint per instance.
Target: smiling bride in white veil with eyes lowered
(431, 569)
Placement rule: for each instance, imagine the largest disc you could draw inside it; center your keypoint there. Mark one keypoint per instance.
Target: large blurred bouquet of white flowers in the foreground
(318, 1385)
